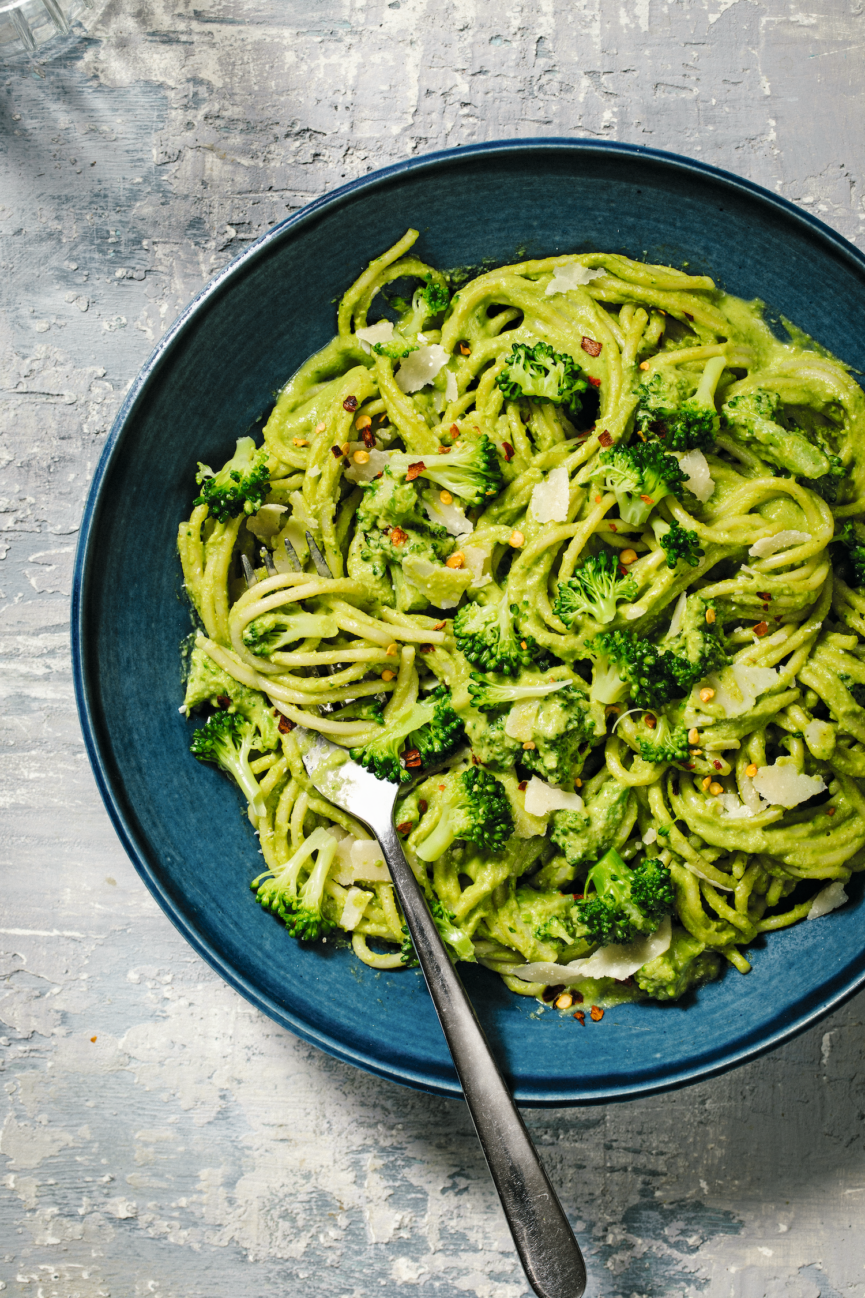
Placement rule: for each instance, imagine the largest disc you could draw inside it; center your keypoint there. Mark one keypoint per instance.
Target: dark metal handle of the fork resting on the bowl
(541, 1231)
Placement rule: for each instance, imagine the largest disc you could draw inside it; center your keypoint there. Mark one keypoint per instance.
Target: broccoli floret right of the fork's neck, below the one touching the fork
(475, 807)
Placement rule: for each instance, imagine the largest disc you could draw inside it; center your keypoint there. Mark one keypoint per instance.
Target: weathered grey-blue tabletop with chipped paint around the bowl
(158, 1135)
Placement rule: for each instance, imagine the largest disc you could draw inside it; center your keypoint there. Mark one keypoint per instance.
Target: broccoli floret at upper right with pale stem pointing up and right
(680, 422)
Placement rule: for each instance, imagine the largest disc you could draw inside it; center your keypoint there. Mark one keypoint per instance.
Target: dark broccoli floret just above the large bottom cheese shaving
(621, 903)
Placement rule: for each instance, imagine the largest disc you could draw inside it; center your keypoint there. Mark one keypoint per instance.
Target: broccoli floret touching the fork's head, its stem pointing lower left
(429, 730)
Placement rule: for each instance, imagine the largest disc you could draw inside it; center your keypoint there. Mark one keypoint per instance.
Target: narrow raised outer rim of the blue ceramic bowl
(85, 565)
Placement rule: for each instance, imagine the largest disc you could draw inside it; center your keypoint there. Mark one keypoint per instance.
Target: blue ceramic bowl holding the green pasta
(212, 377)
